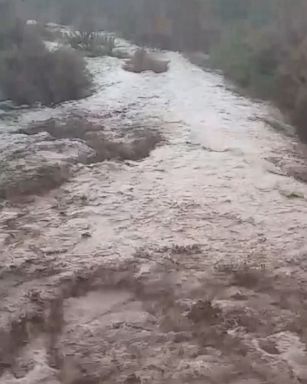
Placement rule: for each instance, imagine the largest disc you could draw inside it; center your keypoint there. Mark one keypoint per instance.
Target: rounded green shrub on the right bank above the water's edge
(249, 58)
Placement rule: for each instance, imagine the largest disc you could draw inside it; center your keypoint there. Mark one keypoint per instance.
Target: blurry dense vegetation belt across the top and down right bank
(259, 44)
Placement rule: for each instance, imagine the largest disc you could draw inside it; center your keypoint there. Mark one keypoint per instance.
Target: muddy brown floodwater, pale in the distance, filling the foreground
(188, 266)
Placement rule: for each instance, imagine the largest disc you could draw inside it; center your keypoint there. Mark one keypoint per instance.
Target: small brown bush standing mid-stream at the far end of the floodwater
(141, 61)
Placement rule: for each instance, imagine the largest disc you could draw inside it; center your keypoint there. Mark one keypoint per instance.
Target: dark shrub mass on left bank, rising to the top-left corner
(31, 73)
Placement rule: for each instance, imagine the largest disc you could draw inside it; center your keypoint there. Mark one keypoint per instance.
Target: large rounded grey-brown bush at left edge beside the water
(31, 73)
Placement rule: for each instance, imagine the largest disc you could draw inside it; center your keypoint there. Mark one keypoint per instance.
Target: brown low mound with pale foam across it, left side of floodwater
(47, 155)
